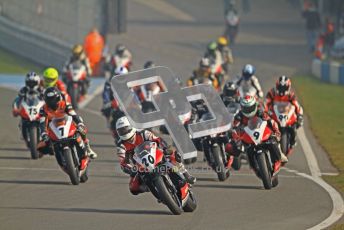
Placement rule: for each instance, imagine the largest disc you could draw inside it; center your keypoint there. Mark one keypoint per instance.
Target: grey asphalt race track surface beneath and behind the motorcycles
(38, 195)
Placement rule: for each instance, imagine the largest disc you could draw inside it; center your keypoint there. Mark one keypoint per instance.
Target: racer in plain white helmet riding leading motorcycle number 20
(129, 139)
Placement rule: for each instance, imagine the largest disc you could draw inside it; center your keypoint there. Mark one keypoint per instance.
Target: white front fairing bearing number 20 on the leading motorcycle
(147, 158)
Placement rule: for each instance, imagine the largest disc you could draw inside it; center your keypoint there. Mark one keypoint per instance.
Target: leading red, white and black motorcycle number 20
(166, 184)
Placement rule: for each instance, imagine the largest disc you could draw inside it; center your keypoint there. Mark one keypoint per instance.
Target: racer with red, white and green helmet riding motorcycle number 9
(249, 110)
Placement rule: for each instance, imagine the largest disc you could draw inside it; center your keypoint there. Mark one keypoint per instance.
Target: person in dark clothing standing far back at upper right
(313, 24)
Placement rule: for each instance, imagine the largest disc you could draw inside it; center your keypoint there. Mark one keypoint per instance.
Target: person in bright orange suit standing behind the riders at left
(93, 45)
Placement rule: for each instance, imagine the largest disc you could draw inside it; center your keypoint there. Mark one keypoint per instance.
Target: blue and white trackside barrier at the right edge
(331, 72)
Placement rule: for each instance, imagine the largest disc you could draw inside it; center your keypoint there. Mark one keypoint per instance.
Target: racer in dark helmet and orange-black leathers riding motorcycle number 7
(56, 106)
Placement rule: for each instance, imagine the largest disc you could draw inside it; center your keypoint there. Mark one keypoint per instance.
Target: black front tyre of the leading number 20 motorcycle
(166, 197)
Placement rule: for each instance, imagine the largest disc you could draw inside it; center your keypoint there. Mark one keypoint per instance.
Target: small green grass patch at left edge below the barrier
(13, 64)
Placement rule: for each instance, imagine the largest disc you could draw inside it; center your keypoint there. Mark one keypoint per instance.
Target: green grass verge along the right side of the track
(324, 105)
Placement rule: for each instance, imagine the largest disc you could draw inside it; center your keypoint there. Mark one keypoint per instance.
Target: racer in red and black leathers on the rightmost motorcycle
(284, 93)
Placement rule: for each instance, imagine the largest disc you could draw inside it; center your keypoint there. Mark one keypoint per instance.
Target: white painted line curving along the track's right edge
(337, 200)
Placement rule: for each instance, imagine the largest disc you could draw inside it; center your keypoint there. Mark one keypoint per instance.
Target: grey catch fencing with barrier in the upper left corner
(45, 30)
